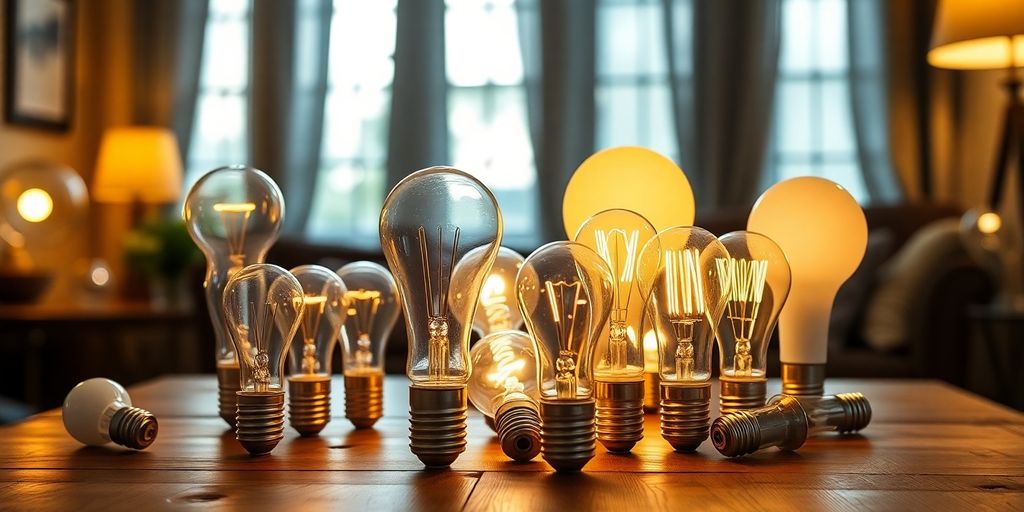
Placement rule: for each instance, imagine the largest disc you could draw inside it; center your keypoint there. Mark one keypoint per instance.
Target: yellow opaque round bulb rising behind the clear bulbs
(633, 179)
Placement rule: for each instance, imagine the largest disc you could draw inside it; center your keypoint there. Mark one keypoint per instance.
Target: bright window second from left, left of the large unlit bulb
(353, 179)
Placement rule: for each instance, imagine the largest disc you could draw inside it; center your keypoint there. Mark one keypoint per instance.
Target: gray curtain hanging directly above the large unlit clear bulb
(418, 127)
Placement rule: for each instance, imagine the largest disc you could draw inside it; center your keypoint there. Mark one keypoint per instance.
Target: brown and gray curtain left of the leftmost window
(168, 53)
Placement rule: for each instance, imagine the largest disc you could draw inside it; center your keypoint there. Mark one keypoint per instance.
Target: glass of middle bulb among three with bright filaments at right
(687, 298)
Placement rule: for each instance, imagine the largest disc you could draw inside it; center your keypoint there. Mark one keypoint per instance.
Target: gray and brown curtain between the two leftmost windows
(288, 87)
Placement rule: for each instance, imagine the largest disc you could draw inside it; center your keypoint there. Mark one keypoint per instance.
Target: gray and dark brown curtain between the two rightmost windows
(724, 124)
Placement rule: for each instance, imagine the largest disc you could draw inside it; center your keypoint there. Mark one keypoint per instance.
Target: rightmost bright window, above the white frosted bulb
(814, 125)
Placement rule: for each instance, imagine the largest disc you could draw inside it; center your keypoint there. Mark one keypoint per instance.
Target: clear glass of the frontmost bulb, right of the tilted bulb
(565, 291)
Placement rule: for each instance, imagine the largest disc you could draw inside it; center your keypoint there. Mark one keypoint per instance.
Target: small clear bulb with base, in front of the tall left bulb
(264, 307)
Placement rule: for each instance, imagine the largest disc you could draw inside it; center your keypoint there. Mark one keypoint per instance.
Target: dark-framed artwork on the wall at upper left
(39, 63)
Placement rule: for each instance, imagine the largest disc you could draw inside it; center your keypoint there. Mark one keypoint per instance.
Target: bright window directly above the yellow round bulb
(633, 97)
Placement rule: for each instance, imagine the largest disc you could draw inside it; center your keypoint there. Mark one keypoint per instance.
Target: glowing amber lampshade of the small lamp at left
(138, 163)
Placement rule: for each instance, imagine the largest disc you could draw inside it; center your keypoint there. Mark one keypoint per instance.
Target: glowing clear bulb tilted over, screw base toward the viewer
(504, 389)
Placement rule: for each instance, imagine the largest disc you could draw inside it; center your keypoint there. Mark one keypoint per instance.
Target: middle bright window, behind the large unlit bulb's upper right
(489, 134)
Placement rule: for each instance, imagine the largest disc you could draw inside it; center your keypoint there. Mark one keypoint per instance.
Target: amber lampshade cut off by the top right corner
(977, 35)
